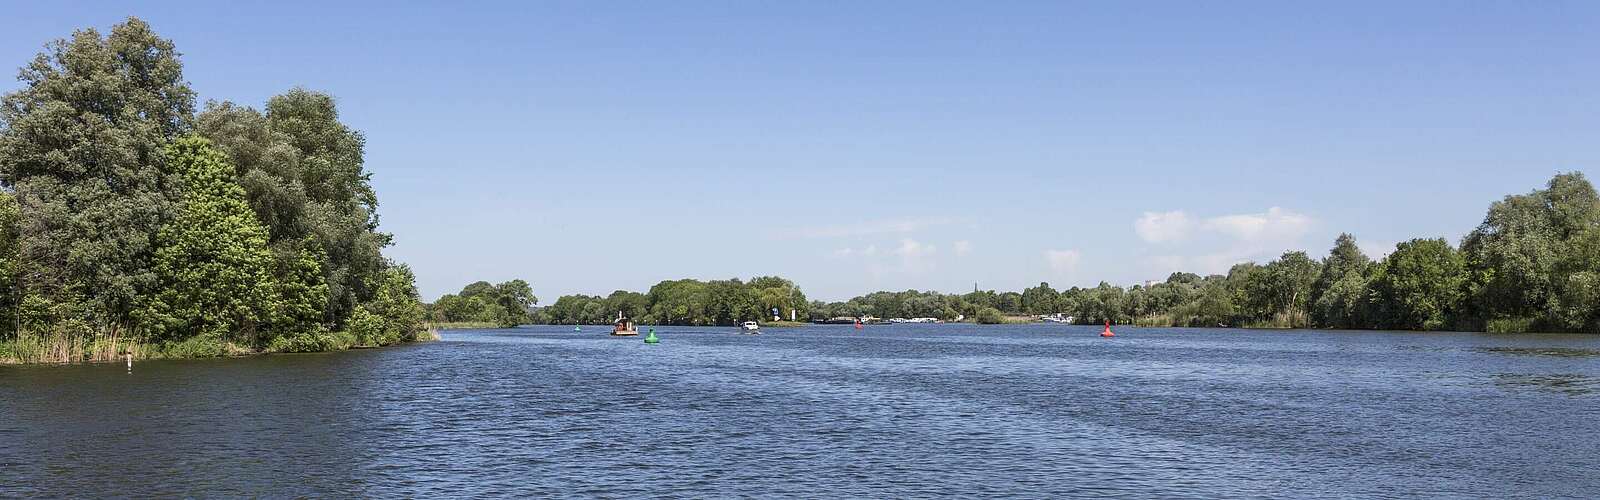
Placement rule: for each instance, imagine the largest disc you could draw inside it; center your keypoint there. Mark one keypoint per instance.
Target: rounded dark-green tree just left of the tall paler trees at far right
(1422, 286)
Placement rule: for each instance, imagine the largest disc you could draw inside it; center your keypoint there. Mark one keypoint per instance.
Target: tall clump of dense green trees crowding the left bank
(127, 217)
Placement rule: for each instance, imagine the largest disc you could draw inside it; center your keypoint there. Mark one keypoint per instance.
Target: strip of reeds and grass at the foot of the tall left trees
(81, 350)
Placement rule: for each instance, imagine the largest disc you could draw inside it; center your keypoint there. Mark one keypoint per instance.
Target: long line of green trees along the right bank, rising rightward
(1534, 265)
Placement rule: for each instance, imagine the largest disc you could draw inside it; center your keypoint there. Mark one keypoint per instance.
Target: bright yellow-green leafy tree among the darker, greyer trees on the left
(212, 264)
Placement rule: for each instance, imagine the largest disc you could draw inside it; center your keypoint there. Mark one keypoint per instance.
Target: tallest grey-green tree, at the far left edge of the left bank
(82, 147)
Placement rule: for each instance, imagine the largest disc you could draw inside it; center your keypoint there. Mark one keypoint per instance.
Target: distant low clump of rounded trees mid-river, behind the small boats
(686, 302)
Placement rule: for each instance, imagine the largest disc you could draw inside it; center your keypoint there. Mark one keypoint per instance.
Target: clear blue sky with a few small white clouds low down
(862, 147)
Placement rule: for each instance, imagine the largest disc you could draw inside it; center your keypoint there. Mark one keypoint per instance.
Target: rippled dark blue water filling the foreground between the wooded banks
(887, 413)
